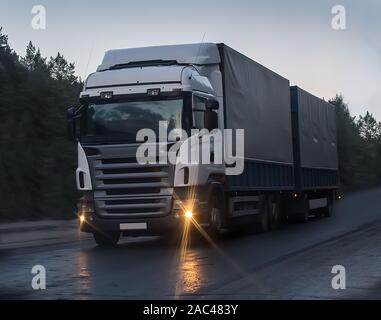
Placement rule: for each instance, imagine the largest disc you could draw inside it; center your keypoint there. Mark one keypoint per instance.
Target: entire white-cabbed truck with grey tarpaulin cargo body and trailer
(290, 164)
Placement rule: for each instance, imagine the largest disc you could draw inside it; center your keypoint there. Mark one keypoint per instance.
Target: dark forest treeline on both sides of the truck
(37, 162)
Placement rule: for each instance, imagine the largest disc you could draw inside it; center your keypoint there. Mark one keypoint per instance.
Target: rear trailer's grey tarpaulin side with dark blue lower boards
(315, 142)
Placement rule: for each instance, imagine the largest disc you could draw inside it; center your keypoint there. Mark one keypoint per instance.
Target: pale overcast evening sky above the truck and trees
(293, 37)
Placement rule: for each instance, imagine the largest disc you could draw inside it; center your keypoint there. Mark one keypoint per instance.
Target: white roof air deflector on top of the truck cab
(197, 54)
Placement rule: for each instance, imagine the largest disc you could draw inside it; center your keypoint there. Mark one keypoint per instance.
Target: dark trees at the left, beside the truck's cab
(37, 162)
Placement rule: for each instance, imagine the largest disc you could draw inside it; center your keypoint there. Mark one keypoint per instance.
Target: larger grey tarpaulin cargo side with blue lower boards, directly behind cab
(257, 100)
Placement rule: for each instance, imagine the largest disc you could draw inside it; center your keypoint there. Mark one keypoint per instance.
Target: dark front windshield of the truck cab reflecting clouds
(120, 121)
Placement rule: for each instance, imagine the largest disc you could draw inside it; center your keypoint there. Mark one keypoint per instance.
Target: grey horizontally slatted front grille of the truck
(123, 187)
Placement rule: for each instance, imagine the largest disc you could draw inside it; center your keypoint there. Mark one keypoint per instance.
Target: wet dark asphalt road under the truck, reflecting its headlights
(296, 257)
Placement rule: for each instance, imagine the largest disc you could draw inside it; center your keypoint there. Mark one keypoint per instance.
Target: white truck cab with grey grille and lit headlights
(131, 90)
